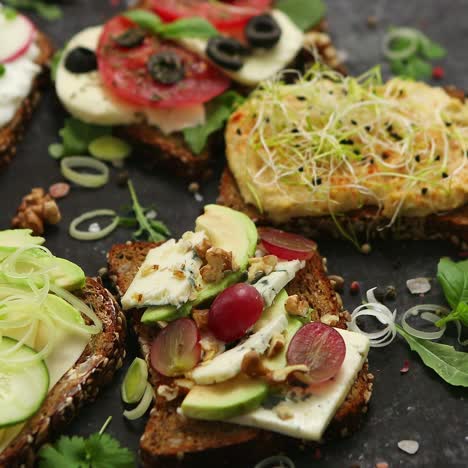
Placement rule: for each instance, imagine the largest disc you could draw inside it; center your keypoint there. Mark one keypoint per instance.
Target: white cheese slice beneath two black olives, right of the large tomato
(261, 64)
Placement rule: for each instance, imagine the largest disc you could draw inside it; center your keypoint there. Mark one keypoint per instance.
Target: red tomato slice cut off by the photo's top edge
(222, 14)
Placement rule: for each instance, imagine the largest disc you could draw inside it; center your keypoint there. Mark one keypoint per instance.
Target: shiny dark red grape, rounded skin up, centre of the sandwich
(234, 311)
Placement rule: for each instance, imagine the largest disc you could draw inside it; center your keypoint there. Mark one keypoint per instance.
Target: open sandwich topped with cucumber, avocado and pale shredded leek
(61, 339)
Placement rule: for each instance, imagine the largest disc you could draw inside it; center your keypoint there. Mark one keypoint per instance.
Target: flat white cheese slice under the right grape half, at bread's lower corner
(310, 418)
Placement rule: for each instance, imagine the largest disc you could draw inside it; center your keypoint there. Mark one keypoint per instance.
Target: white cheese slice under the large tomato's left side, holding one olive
(85, 97)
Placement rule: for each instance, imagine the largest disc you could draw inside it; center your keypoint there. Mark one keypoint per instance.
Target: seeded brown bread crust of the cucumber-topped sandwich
(81, 384)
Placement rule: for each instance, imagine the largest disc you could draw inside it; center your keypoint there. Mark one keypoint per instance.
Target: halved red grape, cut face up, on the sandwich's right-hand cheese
(320, 347)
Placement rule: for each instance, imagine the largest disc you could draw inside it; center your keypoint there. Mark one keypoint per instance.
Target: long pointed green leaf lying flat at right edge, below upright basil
(450, 364)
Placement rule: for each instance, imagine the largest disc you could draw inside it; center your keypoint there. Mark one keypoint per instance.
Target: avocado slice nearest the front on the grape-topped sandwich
(224, 400)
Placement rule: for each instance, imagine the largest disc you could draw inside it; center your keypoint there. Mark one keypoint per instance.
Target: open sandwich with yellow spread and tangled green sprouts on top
(351, 156)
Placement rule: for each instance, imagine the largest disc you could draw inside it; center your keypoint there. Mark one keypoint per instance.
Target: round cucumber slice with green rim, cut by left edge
(23, 388)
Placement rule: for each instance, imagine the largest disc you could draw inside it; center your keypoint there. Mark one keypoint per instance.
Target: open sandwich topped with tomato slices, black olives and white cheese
(168, 75)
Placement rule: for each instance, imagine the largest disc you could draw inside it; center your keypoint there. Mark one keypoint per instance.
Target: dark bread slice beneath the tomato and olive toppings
(171, 151)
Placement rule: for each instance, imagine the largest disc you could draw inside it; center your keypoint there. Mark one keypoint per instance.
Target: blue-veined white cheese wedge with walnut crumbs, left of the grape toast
(168, 276)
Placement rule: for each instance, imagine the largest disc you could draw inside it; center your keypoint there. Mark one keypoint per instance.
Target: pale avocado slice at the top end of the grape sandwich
(230, 230)
